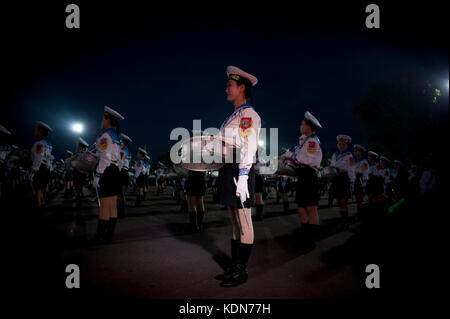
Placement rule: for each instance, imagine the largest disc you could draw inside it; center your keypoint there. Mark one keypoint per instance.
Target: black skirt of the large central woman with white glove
(227, 188)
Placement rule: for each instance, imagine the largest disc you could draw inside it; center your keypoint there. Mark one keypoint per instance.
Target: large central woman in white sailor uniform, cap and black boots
(243, 126)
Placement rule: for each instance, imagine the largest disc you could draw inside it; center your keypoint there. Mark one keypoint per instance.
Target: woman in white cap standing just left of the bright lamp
(40, 155)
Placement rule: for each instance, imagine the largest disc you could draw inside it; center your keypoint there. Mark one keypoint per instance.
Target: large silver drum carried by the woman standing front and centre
(205, 153)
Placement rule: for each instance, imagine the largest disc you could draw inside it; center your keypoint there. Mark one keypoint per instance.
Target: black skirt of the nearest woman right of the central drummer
(307, 192)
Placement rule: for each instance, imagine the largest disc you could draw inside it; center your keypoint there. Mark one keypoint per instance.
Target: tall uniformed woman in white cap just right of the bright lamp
(107, 176)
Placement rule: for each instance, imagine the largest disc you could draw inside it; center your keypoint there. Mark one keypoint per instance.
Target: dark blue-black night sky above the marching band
(162, 67)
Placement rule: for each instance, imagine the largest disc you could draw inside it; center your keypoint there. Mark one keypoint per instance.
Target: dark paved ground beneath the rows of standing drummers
(152, 257)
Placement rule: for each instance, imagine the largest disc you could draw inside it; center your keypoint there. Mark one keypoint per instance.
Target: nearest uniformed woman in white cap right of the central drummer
(308, 155)
